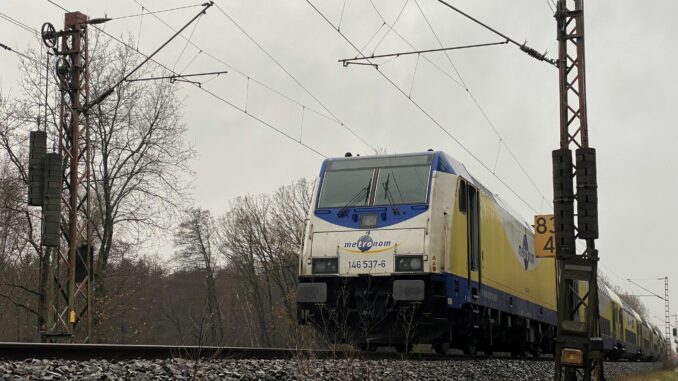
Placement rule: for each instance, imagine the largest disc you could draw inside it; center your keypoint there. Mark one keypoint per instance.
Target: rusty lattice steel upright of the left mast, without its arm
(69, 280)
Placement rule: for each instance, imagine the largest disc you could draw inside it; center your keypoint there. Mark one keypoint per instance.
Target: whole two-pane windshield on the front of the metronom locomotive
(399, 180)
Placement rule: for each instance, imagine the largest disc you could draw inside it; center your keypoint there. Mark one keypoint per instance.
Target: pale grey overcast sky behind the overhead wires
(632, 97)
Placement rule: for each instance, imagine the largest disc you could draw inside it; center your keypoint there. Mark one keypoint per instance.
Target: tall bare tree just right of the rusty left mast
(139, 152)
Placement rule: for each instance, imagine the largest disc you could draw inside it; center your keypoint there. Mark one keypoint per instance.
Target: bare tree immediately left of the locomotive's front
(261, 236)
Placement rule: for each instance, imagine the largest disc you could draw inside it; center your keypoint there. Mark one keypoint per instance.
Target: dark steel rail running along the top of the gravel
(80, 352)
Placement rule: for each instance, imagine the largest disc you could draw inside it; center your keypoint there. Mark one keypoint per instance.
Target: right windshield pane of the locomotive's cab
(402, 185)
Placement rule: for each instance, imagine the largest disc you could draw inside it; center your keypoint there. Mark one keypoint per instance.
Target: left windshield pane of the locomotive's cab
(346, 188)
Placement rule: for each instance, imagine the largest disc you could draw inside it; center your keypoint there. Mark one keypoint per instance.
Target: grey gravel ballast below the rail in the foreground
(353, 369)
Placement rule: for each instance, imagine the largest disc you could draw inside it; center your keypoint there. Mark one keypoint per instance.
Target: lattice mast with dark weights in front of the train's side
(578, 353)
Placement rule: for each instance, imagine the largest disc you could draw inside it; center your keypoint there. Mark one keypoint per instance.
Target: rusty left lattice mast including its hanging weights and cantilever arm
(60, 183)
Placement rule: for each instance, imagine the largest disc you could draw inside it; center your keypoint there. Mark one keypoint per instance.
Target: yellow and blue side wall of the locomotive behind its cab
(511, 279)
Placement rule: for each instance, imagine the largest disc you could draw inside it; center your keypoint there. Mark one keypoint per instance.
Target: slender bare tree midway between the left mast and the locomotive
(194, 240)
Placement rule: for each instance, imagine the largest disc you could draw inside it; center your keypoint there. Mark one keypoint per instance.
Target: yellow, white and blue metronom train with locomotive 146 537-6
(411, 249)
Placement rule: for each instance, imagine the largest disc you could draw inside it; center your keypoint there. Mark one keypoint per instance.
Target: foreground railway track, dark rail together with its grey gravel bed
(36, 361)
